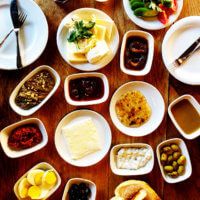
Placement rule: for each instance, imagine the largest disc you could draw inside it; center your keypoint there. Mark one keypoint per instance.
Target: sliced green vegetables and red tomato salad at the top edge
(162, 9)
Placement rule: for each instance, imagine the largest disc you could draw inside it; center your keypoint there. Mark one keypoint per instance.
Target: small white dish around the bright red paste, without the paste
(4, 135)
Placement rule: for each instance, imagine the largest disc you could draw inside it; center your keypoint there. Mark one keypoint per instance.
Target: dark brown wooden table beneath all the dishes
(56, 108)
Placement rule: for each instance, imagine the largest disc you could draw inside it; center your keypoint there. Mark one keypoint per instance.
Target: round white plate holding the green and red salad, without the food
(151, 23)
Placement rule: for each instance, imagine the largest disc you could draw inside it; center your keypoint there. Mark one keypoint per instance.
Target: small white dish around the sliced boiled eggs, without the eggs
(43, 166)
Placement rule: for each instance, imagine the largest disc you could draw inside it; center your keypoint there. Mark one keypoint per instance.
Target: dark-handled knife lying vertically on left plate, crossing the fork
(16, 24)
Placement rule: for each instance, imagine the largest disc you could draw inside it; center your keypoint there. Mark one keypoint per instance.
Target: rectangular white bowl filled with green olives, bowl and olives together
(174, 160)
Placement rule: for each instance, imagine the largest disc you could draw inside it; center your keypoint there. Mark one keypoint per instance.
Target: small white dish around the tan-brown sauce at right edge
(196, 105)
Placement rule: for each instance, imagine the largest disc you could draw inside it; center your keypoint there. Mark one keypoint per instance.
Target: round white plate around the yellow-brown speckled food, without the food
(154, 99)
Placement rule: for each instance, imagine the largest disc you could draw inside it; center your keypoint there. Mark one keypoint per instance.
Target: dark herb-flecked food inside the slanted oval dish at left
(35, 90)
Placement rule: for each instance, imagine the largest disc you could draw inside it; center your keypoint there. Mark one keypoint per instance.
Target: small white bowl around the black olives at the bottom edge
(78, 181)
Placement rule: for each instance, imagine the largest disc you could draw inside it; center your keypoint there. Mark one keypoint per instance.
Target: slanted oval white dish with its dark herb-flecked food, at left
(34, 90)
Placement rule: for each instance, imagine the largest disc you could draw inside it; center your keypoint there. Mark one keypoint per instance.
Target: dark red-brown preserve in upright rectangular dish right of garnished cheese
(136, 52)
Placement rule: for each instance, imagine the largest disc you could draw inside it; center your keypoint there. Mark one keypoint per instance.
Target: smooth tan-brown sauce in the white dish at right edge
(186, 116)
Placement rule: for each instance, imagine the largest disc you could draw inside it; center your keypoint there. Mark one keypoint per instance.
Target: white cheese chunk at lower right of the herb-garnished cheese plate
(98, 52)
